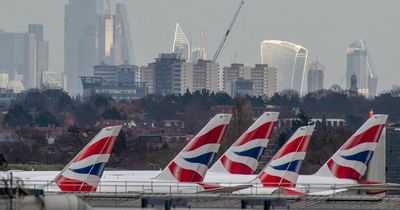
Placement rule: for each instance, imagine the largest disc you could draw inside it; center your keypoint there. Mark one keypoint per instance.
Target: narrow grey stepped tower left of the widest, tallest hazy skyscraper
(42, 52)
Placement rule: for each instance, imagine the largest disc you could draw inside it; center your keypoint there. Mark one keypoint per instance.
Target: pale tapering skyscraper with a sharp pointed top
(181, 45)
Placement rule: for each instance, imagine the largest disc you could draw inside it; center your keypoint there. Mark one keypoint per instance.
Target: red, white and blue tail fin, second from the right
(283, 169)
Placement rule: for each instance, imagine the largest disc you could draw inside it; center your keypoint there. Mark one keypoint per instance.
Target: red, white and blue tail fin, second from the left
(191, 164)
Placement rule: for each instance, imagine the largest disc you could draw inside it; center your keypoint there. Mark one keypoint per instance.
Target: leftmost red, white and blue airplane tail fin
(83, 173)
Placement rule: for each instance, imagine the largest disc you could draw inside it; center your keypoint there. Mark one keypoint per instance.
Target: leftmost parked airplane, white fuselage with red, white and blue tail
(83, 173)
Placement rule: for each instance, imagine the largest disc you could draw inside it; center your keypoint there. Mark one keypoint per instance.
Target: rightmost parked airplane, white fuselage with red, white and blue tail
(346, 168)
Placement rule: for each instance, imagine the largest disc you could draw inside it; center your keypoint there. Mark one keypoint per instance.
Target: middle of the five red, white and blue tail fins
(244, 155)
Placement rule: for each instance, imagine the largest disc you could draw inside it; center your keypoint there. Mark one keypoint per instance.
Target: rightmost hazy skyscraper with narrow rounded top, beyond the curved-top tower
(359, 64)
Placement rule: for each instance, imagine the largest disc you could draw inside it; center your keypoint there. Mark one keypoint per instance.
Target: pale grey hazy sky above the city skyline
(324, 27)
